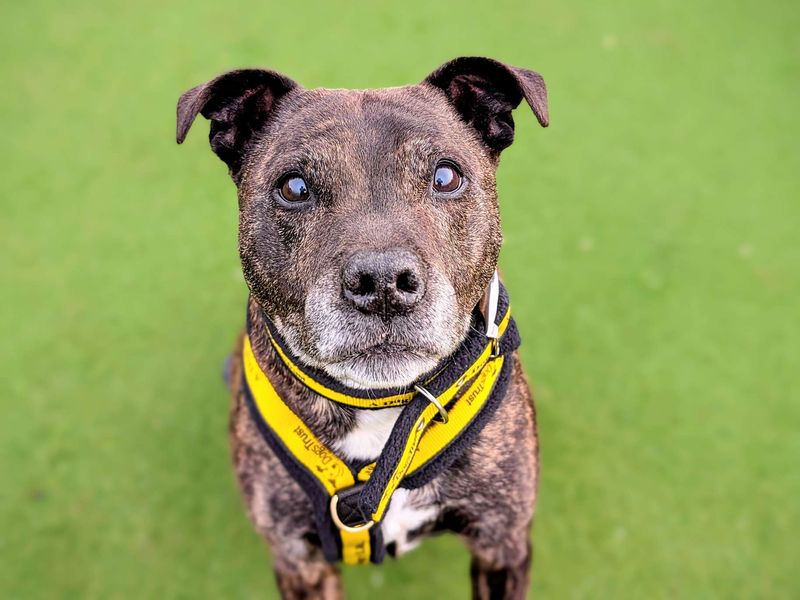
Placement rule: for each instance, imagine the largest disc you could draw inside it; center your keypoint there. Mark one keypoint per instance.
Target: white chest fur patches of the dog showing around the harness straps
(409, 509)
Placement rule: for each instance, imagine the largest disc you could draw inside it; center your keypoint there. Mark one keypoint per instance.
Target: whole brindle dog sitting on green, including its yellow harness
(369, 234)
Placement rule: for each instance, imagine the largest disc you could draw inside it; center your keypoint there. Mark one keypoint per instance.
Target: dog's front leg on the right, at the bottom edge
(501, 572)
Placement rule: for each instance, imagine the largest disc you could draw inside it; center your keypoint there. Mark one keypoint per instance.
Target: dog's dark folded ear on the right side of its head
(485, 91)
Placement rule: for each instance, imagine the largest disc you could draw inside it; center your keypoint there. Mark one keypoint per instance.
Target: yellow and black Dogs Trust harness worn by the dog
(418, 441)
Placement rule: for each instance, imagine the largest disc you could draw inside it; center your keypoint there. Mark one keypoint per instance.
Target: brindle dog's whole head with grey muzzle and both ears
(369, 225)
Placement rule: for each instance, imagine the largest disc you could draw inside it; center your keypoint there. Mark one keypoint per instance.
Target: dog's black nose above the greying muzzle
(386, 282)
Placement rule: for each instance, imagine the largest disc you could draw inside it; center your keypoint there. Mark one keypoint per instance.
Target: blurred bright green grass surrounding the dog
(651, 251)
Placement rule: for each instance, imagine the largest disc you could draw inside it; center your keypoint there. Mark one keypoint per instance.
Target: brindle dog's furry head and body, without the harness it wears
(369, 230)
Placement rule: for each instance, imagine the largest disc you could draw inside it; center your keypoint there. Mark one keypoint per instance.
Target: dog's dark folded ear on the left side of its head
(238, 104)
